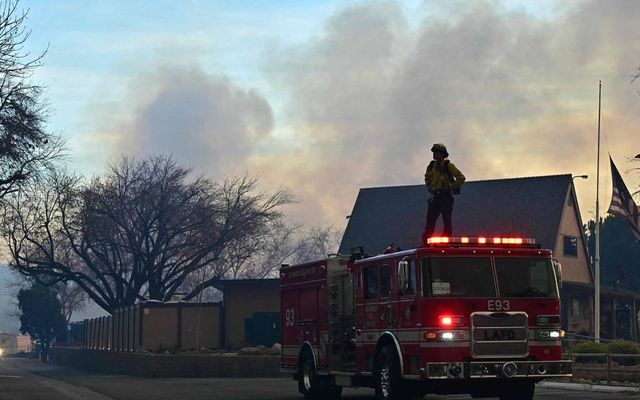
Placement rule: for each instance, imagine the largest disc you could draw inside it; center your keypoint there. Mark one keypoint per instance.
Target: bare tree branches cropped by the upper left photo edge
(26, 148)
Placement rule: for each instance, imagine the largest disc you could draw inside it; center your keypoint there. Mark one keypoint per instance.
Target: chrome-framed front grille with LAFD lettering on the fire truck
(499, 334)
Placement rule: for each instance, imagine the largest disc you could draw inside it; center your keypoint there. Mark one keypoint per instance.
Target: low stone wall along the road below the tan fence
(168, 365)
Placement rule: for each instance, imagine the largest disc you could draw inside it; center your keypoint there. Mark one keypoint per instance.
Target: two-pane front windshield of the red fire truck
(473, 277)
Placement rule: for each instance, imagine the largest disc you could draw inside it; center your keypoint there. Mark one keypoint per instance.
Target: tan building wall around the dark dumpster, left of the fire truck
(242, 300)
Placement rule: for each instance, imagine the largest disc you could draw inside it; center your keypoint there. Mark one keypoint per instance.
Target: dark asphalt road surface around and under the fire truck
(30, 380)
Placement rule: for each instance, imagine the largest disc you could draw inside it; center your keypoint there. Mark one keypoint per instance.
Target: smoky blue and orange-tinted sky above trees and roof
(328, 98)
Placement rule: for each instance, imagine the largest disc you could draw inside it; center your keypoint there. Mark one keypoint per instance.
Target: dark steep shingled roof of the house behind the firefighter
(526, 207)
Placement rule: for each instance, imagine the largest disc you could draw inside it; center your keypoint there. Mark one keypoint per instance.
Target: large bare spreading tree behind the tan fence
(138, 232)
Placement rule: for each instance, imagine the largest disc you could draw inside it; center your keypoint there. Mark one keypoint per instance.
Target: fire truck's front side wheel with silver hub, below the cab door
(387, 377)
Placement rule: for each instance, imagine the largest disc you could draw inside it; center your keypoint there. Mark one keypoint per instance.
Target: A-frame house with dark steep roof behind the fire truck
(543, 207)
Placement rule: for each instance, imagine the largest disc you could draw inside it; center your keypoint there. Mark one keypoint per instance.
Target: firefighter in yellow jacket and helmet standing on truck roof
(443, 180)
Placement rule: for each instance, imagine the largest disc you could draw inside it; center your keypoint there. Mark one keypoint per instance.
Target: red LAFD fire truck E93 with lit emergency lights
(460, 315)
